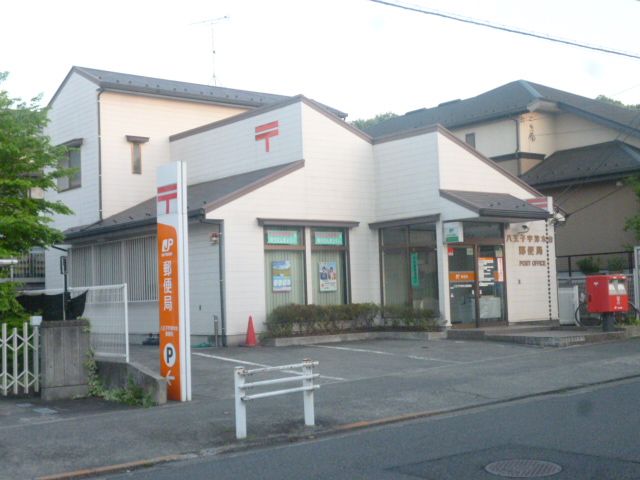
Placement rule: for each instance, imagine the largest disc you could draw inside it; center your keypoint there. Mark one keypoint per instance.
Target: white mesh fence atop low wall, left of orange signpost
(106, 307)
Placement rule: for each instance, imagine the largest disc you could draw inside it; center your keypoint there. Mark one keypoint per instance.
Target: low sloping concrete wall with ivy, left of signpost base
(116, 375)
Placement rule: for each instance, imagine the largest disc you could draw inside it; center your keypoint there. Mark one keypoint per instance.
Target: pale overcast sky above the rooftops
(355, 55)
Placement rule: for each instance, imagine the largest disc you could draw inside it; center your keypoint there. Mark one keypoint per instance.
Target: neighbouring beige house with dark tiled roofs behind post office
(575, 149)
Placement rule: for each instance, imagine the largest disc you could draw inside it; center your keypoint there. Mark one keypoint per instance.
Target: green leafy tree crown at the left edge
(27, 161)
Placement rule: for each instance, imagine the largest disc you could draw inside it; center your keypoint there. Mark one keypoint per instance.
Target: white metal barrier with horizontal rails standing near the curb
(307, 388)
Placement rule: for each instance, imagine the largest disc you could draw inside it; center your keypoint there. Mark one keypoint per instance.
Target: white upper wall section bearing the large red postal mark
(232, 149)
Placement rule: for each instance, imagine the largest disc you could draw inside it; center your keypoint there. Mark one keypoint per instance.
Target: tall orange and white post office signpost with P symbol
(173, 280)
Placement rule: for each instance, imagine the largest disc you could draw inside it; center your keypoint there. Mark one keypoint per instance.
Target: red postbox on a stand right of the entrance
(607, 295)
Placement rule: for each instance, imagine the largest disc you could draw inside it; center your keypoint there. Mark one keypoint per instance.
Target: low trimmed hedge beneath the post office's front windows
(294, 320)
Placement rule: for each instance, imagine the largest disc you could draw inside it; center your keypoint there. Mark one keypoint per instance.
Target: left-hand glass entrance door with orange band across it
(462, 285)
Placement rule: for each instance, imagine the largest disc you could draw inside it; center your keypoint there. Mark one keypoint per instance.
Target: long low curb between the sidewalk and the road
(342, 428)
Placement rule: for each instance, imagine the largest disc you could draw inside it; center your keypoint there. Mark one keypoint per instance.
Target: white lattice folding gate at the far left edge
(19, 369)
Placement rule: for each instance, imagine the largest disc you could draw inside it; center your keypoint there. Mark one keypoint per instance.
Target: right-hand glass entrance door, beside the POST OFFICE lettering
(491, 297)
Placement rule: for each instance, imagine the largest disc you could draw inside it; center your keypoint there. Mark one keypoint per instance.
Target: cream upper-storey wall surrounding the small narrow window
(157, 118)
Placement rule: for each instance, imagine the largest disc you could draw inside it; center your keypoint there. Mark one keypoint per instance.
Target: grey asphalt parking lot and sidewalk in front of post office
(367, 381)
